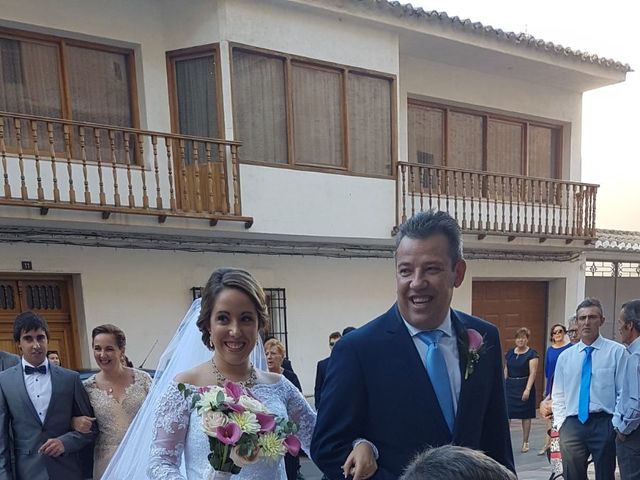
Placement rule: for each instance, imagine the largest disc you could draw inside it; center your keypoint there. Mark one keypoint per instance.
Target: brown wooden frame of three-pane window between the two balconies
(344, 70)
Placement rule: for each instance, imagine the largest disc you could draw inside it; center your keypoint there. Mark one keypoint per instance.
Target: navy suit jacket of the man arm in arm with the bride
(377, 388)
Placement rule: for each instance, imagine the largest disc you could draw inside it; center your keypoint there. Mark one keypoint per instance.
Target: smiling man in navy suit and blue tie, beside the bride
(414, 378)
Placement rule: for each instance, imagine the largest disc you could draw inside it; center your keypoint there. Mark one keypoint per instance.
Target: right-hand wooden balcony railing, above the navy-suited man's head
(491, 203)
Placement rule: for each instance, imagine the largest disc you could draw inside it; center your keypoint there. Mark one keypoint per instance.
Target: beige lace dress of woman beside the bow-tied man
(114, 417)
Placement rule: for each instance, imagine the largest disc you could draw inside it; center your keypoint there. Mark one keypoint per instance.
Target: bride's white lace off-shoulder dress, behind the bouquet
(177, 429)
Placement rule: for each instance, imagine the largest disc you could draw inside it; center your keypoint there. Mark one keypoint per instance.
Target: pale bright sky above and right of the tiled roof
(611, 128)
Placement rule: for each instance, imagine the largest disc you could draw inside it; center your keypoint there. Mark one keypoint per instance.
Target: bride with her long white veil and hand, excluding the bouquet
(167, 430)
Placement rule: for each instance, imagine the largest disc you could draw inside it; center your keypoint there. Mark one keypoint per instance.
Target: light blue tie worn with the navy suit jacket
(437, 371)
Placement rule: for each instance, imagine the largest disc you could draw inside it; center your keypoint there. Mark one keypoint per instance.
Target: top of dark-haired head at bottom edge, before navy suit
(451, 462)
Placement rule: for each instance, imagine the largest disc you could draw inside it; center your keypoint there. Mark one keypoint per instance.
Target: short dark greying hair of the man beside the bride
(426, 224)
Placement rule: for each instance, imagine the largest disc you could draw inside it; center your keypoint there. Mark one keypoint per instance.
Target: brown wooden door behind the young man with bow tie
(49, 297)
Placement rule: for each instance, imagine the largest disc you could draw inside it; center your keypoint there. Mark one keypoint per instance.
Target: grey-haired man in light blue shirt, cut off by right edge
(626, 418)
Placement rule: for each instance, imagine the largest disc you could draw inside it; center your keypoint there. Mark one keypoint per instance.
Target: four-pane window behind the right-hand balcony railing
(482, 142)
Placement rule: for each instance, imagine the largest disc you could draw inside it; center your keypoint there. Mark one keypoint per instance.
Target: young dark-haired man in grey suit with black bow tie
(37, 402)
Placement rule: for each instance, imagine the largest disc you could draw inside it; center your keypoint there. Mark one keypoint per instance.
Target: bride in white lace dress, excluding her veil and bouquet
(233, 310)
